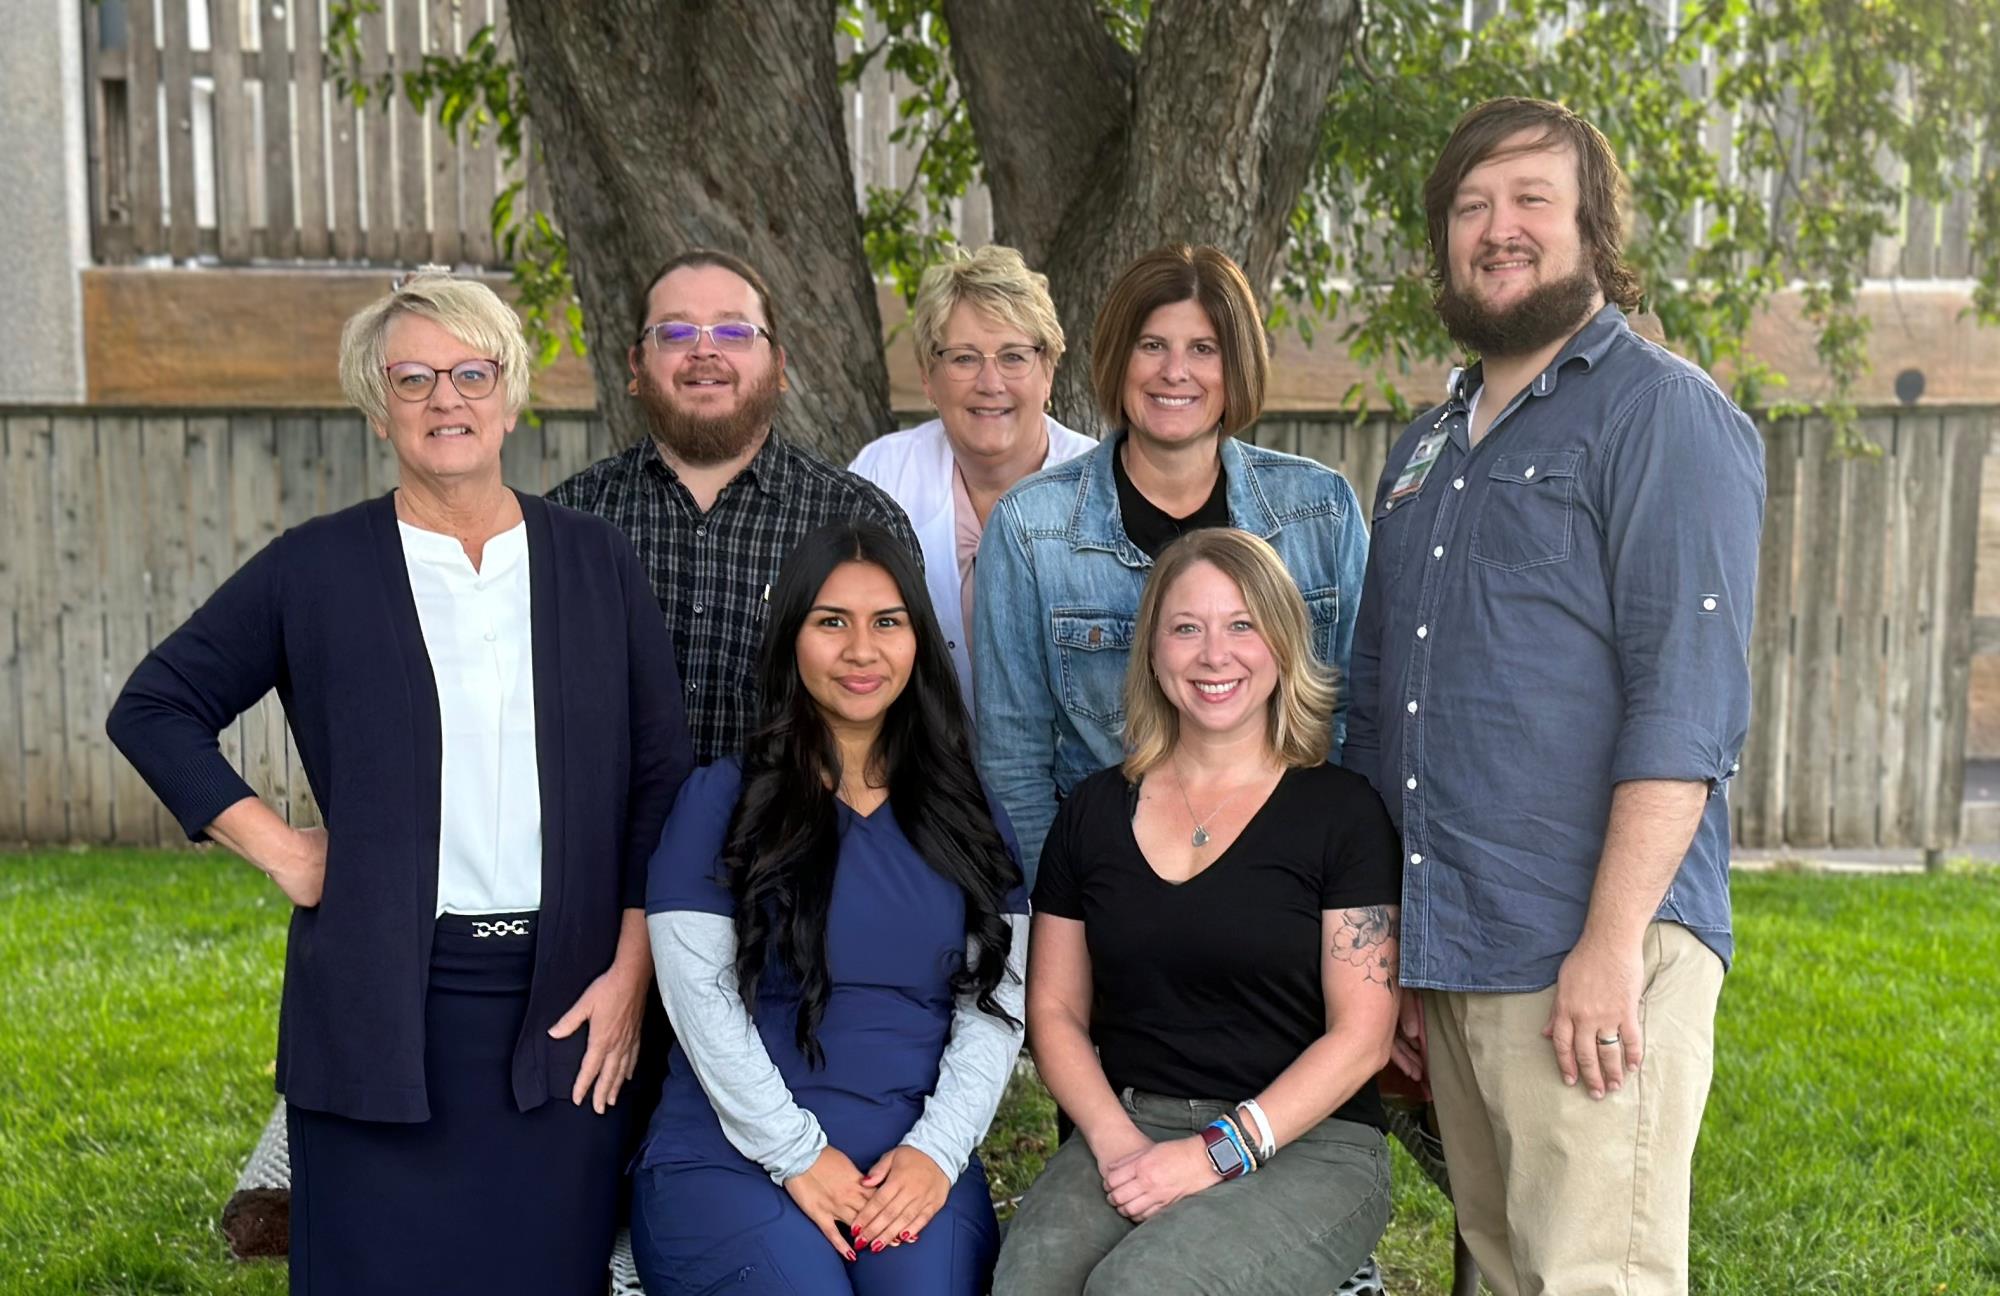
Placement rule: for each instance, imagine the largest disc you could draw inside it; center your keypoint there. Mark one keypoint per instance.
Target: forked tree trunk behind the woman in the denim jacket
(1095, 157)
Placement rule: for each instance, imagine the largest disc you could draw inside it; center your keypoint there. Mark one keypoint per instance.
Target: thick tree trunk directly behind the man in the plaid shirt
(673, 125)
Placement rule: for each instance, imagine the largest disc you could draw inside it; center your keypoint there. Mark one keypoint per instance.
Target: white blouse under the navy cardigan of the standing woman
(483, 657)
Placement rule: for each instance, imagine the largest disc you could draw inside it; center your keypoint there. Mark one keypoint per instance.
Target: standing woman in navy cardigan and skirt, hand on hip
(487, 709)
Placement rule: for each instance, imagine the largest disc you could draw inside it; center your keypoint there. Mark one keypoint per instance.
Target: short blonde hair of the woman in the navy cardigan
(467, 309)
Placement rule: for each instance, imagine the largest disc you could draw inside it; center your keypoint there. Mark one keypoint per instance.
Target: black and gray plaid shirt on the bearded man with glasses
(713, 573)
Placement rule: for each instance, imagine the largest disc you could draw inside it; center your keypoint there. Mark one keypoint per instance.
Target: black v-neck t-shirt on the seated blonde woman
(1213, 987)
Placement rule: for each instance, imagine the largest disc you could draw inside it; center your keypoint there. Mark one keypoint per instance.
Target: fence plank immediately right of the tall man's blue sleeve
(1757, 799)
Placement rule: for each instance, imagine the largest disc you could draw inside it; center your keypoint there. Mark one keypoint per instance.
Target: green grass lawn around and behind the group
(1853, 1139)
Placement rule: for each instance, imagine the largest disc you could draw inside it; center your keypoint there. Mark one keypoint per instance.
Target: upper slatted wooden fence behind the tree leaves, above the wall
(217, 131)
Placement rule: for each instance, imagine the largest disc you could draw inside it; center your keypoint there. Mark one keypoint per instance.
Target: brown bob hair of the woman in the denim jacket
(1169, 275)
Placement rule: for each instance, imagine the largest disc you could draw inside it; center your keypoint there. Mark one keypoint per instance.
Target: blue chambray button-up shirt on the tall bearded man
(1553, 613)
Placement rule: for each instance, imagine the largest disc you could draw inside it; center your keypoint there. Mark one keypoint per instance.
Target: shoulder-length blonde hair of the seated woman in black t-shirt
(1301, 713)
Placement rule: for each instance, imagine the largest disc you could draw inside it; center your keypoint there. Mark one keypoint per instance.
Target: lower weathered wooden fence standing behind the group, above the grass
(117, 527)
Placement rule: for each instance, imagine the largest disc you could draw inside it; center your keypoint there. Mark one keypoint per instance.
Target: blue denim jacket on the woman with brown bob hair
(1059, 585)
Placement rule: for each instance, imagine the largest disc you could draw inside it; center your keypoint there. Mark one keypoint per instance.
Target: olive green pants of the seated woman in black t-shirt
(1299, 1227)
